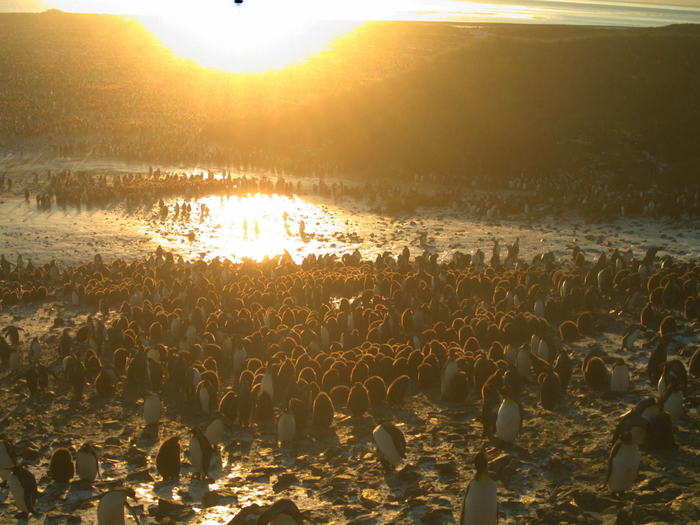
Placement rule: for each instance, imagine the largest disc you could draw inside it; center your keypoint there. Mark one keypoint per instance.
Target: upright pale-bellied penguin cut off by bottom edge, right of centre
(480, 502)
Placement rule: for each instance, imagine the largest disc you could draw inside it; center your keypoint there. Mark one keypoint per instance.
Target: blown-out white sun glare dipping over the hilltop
(262, 35)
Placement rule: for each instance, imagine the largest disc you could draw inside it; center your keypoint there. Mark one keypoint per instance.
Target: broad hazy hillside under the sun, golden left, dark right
(389, 98)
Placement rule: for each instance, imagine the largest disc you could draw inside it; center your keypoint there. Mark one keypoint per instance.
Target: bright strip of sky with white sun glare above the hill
(268, 34)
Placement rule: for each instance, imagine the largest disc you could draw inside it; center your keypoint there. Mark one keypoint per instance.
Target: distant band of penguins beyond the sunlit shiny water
(592, 197)
